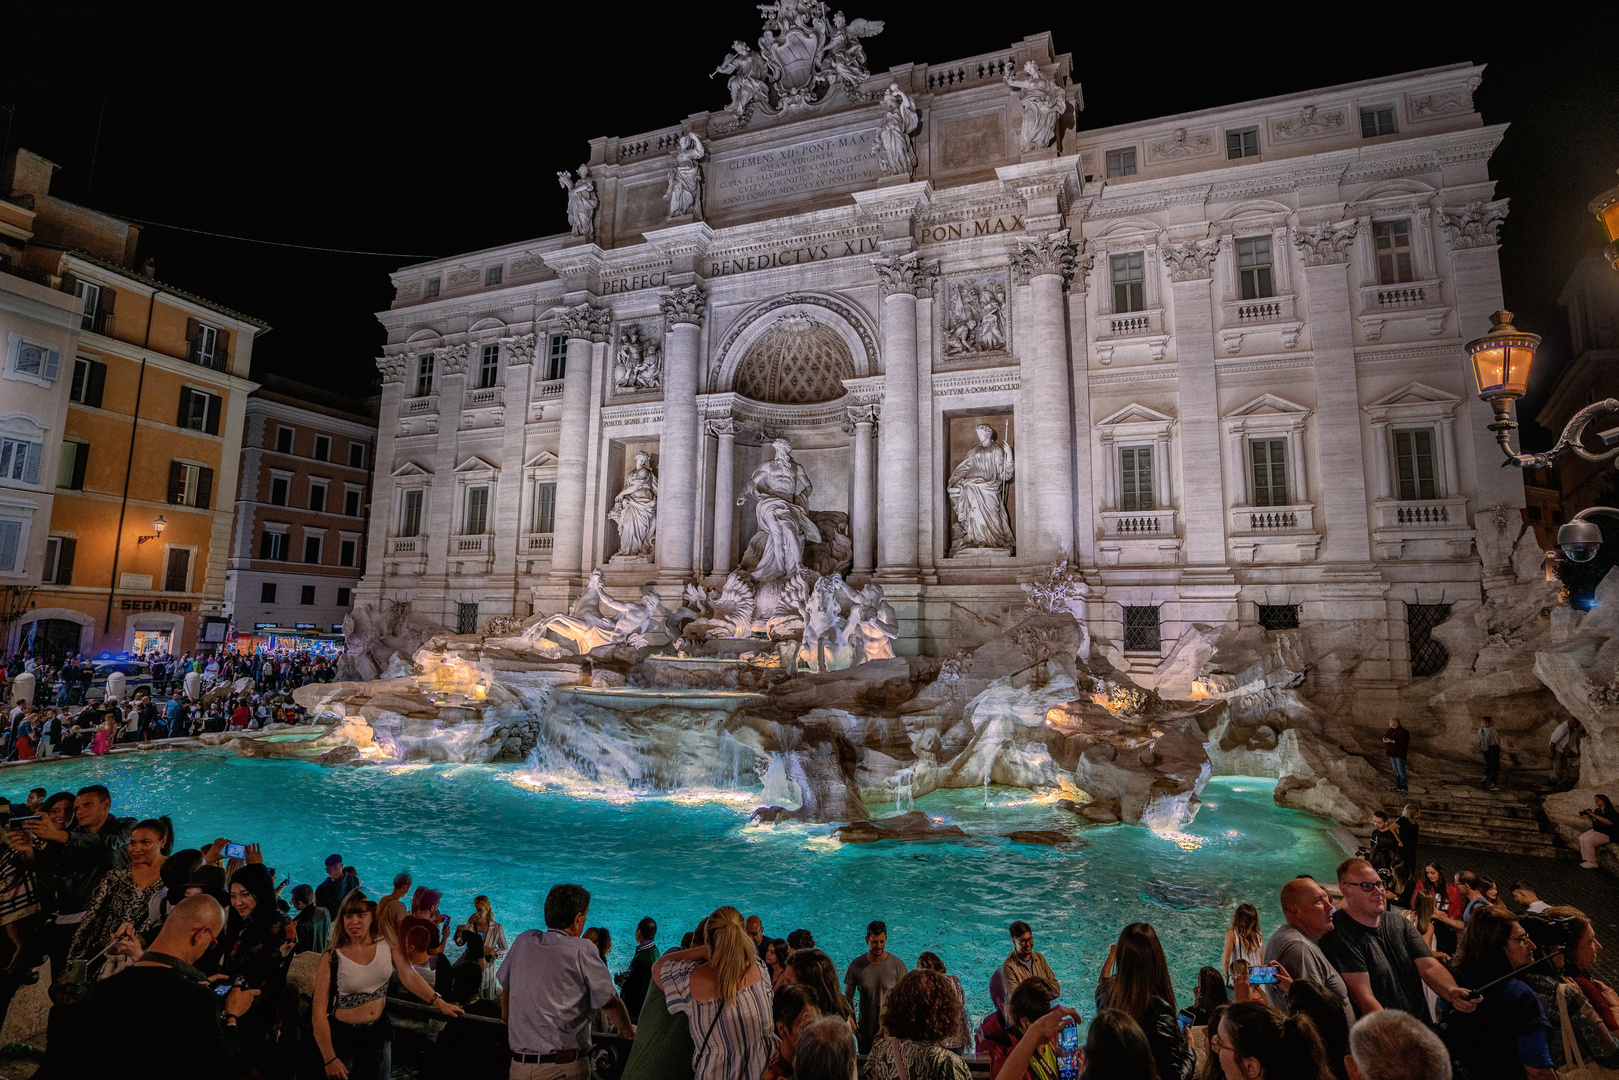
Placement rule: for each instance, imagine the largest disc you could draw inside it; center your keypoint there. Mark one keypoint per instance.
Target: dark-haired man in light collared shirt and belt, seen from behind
(551, 982)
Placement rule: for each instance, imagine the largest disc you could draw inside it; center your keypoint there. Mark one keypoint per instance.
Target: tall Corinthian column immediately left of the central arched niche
(678, 461)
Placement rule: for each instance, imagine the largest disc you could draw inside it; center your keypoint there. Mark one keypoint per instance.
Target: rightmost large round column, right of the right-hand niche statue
(1045, 432)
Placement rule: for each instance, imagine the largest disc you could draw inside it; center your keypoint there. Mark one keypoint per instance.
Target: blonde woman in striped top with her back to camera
(726, 995)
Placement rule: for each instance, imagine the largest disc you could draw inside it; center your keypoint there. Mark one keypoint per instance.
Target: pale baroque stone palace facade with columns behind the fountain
(1225, 351)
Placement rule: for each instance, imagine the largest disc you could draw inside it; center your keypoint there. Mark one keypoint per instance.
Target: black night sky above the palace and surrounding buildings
(383, 130)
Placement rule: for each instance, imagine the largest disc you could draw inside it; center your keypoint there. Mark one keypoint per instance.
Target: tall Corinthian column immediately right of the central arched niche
(901, 278)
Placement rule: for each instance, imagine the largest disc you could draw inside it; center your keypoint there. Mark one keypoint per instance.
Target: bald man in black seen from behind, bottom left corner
(161, 1010)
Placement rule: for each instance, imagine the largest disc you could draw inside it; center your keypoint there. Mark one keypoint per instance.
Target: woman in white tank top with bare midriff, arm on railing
(352, 1029)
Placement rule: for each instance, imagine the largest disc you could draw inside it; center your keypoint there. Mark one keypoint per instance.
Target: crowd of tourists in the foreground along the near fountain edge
(197, 951)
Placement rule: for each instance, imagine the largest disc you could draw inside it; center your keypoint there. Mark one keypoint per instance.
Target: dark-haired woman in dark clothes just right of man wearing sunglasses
(1505, 1039)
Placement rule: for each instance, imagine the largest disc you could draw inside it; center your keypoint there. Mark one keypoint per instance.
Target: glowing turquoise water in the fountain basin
(512, 835)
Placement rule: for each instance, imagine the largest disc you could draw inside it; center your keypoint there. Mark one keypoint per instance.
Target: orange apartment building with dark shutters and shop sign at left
(151, 444)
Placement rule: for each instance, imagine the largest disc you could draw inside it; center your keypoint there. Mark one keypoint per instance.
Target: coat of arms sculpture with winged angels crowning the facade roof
(804, 54)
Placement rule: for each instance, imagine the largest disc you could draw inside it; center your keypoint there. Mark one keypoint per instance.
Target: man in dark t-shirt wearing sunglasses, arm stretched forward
(1380, 955)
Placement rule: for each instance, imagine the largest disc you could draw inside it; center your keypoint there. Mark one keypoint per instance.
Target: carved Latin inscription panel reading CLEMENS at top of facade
(778, 174)
